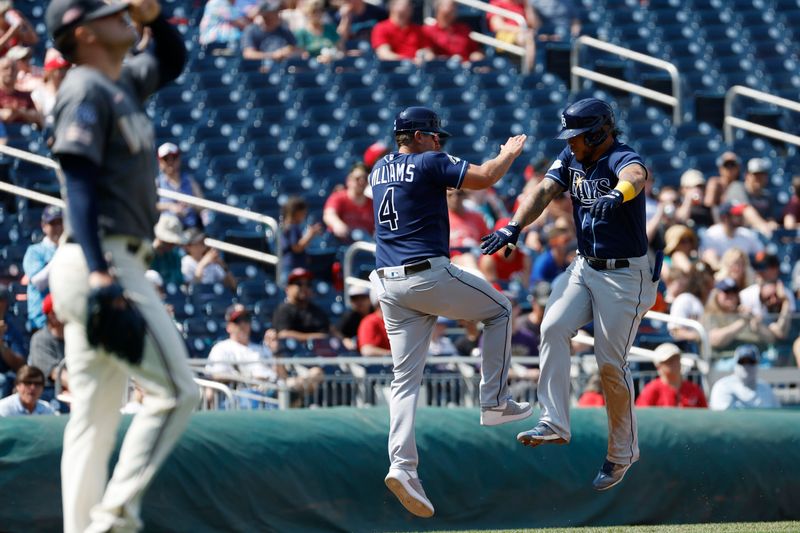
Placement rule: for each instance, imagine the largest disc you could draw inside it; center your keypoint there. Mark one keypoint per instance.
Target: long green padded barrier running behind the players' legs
(316, 470)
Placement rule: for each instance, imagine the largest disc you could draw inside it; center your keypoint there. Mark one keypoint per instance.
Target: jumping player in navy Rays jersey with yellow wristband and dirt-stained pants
(610, 282)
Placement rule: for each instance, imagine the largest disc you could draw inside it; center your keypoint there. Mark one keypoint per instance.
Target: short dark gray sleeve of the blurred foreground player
(82, 115)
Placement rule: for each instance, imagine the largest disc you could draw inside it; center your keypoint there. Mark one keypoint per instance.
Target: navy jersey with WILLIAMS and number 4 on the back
(409, 198)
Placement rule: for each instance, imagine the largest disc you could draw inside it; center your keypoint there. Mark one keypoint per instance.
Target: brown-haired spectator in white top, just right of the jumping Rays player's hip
(690, 301)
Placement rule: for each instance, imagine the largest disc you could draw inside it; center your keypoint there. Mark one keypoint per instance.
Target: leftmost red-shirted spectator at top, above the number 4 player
(398, 37)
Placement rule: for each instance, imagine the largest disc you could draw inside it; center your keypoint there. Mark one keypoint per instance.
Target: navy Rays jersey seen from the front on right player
(623, 235)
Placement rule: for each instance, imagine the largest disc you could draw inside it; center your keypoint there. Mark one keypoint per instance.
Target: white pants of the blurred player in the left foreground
(98, 382)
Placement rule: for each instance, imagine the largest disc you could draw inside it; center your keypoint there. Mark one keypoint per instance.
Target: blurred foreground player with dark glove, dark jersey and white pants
(116, 325)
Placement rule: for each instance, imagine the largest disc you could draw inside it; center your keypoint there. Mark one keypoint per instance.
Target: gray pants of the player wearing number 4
(410, 305)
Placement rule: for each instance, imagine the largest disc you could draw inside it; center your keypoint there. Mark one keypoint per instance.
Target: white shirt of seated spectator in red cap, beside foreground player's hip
(229, 357)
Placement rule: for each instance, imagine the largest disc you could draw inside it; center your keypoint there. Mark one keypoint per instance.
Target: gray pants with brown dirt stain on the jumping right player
(616, 300)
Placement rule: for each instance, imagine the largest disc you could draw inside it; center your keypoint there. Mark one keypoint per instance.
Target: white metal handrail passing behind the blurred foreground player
(273, 234)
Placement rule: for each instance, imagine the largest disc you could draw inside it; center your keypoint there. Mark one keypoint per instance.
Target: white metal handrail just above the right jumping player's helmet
(578, 72)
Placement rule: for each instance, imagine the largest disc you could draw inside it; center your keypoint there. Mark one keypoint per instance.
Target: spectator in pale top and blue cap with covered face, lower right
(743, 389)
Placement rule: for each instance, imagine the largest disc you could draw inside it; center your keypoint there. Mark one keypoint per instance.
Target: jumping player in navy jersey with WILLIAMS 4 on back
(416, 282)
